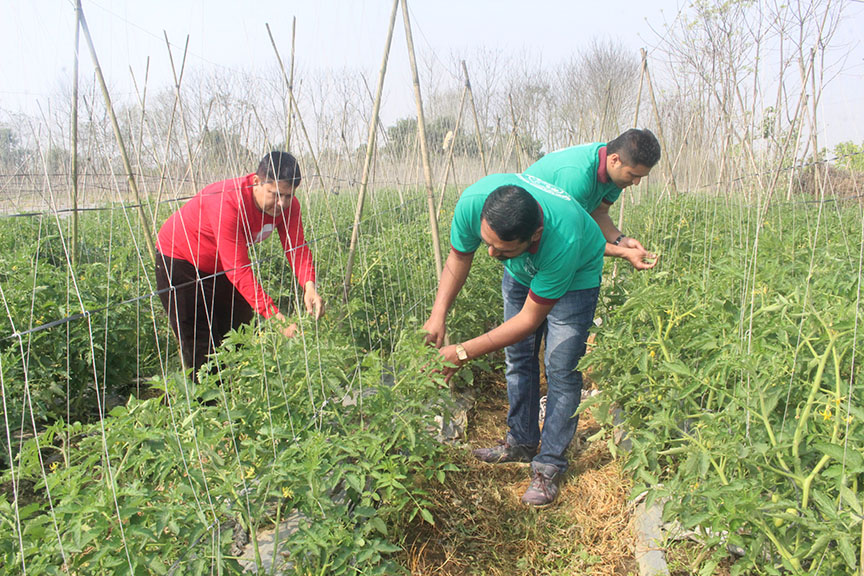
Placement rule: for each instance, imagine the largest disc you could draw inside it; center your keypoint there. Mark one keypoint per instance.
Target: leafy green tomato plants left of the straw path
(337, 424)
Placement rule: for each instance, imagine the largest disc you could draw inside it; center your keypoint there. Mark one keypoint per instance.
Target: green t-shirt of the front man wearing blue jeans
(569, 255)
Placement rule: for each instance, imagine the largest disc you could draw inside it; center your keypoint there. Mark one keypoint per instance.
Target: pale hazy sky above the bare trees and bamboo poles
(37, 38)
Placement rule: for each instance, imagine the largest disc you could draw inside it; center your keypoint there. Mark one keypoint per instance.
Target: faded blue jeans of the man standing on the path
(566, 331)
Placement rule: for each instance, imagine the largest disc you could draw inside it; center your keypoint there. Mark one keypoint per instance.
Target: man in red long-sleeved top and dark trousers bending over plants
(203, 269)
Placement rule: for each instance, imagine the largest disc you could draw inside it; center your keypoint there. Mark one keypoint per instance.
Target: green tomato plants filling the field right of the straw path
(734, 367)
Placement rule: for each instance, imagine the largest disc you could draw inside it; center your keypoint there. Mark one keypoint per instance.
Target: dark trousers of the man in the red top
(201, 308)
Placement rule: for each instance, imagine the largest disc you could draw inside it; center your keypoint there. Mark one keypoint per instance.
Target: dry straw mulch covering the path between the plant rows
(481, 527)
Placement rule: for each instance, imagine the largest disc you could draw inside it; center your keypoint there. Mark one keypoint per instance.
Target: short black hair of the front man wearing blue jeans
(512, 213)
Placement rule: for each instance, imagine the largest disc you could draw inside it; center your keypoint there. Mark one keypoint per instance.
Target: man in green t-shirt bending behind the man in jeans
(595, 174)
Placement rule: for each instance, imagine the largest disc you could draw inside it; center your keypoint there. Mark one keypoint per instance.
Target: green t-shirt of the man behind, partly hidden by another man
(574, 170)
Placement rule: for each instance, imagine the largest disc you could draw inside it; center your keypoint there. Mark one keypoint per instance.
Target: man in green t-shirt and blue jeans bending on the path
(552, 253)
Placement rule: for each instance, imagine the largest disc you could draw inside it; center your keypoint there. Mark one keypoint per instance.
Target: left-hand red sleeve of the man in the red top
(233, 252)
